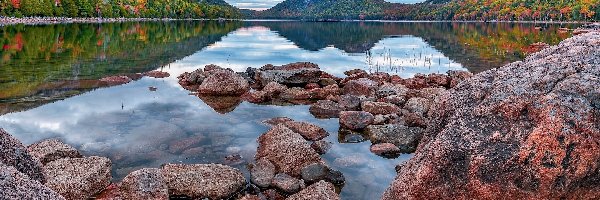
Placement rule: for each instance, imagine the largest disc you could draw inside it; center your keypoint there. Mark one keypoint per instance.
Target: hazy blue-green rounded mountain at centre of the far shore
(326, 9)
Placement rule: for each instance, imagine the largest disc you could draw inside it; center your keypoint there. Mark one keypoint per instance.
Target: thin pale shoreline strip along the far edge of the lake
(5, 21)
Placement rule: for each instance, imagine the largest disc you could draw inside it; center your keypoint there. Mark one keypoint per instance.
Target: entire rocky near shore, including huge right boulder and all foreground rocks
(527, 130)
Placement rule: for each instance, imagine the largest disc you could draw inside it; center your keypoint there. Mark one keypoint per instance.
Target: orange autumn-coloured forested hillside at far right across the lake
(563, 10)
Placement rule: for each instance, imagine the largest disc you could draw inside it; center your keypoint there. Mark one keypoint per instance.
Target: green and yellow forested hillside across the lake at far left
(119, 8)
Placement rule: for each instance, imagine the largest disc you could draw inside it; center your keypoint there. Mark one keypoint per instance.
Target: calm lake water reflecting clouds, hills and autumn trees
(49, 84)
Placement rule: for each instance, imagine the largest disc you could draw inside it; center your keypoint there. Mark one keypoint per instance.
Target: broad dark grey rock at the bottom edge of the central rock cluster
(404, 137)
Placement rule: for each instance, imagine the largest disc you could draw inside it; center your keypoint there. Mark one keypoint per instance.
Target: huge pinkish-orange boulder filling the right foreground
(528, 130)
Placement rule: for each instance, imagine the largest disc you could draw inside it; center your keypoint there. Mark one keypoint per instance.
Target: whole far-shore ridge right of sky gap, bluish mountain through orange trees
(563, 10)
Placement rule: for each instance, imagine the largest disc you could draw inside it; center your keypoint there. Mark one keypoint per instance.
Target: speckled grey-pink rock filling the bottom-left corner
(16, 185)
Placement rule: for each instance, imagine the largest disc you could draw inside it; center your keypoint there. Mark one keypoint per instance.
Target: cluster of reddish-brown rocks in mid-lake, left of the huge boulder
(390, 111)
